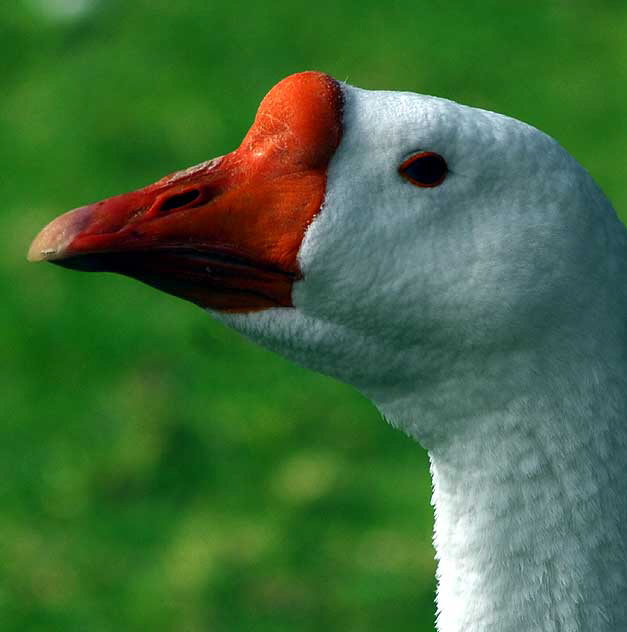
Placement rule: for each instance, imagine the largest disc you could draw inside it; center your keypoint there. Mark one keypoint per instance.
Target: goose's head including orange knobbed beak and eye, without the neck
(392, 240)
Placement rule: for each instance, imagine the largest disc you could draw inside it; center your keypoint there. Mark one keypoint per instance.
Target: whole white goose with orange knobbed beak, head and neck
(460, 269)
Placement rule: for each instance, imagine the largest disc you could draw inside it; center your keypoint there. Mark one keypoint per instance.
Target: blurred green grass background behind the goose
(158, 472)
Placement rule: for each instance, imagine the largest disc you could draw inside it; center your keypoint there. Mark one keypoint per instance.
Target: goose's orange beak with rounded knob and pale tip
(226, 233)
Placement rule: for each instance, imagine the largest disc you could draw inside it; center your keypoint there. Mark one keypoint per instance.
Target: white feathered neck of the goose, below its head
(529, 495)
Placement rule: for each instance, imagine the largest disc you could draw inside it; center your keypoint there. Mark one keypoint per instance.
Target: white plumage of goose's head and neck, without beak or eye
(486, 318)
